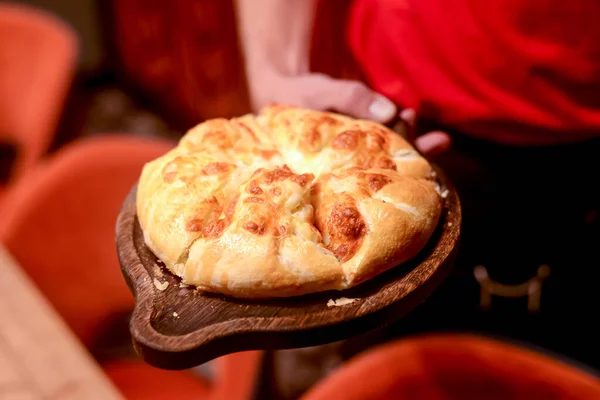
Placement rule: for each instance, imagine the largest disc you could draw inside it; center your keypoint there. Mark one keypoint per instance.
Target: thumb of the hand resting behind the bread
(349, 97)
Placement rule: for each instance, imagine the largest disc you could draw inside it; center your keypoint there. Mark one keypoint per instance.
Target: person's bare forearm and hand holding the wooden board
(276, 37)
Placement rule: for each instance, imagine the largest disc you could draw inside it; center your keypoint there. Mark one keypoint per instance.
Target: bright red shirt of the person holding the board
(516, 71)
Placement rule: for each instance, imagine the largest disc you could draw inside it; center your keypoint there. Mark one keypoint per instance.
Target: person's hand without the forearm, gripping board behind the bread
(321, 92)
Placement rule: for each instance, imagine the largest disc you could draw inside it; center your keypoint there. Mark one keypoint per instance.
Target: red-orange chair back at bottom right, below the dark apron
(455, 367)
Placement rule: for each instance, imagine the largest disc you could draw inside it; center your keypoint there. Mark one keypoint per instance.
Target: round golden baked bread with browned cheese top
(288, 202)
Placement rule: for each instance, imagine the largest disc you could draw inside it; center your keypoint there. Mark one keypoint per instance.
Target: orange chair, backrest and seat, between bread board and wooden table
(58, 222)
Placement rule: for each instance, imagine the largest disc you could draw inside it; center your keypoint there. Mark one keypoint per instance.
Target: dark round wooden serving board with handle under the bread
(206, 326)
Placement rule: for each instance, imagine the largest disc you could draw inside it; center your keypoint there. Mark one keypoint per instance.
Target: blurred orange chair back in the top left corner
(38, 56)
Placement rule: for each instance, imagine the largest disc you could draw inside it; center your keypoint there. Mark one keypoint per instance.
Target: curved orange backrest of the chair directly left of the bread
(58, 221)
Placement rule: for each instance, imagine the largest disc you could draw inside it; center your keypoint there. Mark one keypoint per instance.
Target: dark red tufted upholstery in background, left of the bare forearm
(183, 54)
